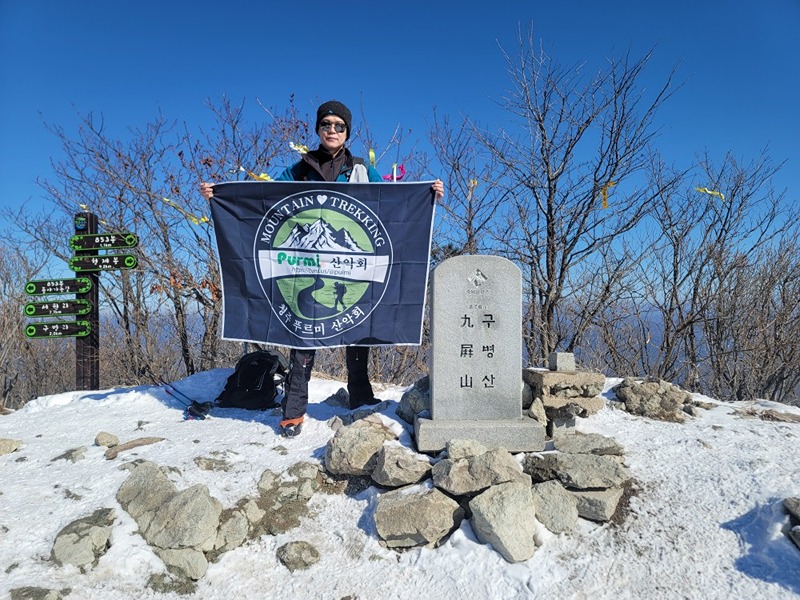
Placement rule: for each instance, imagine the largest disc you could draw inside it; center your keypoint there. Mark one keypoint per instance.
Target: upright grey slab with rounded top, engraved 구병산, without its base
(476, 339)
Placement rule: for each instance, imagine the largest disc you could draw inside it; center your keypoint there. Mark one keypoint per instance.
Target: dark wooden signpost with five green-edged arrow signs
(88, 262)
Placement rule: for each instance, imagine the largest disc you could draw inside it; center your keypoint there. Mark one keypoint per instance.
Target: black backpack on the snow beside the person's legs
(254, 382)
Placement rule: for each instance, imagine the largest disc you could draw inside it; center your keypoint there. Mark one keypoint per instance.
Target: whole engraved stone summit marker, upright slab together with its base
(476, 358)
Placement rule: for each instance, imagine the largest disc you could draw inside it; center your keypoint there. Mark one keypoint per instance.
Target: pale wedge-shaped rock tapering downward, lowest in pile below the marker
(503, 516)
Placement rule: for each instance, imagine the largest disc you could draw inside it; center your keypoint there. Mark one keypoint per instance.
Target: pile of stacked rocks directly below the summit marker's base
(503, 496)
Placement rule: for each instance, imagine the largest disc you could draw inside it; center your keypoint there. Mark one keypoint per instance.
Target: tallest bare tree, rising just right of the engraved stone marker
(574, 140)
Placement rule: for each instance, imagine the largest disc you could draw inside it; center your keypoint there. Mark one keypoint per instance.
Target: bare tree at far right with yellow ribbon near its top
(700, 235)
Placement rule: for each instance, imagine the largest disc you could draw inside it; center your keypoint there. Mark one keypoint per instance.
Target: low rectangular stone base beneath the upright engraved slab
(518, 435)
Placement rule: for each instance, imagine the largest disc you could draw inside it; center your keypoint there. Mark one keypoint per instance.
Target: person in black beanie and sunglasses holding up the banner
(331, 161)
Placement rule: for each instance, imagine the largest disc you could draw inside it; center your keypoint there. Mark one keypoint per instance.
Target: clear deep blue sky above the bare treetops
(398, 61)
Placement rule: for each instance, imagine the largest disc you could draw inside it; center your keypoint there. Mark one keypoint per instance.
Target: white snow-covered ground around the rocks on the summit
(706, 522)
